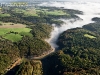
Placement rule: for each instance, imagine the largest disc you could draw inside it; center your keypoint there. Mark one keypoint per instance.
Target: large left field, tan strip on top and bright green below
(14, 32)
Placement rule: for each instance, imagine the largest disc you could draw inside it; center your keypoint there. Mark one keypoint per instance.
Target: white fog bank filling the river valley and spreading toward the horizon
(89, 9)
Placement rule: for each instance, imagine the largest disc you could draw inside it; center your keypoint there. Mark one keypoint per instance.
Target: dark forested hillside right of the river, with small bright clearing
(79, 52)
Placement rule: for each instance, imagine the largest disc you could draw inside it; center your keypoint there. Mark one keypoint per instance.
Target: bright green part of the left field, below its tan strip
(14, 34)
